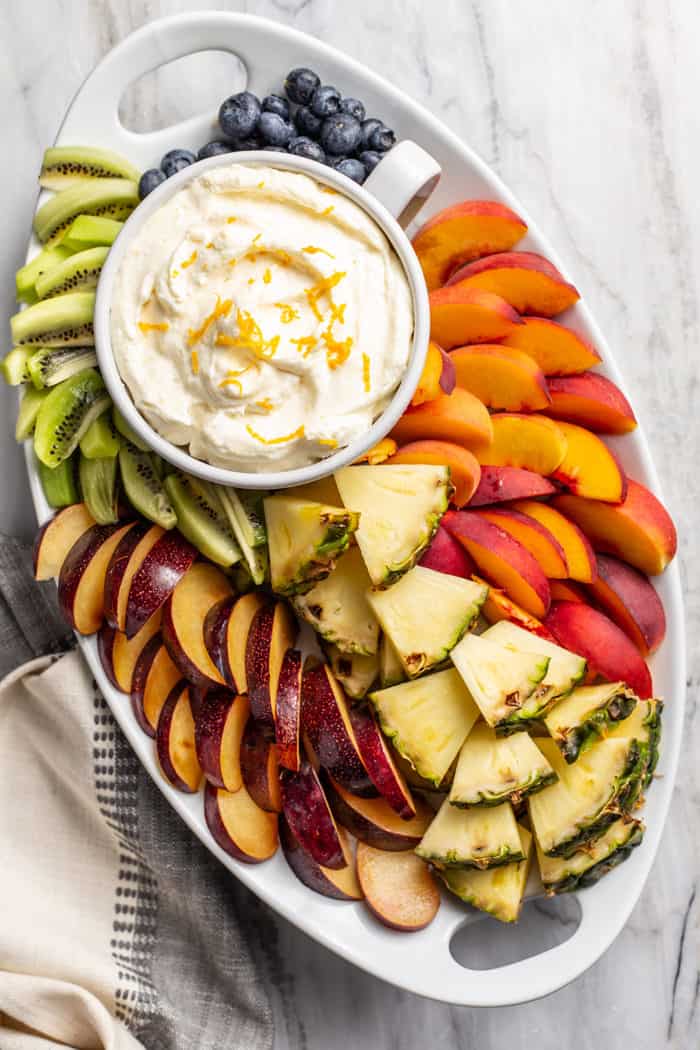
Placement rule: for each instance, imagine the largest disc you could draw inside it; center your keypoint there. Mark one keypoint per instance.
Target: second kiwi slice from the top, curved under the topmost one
(112, 198)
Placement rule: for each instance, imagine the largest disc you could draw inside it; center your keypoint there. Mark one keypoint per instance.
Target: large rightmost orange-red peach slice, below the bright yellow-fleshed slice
(640, 531)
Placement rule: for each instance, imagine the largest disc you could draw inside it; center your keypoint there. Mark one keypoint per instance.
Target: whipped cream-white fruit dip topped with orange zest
(261, 319)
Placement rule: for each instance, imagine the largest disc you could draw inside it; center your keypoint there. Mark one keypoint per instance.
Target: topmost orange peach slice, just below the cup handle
(462, 233)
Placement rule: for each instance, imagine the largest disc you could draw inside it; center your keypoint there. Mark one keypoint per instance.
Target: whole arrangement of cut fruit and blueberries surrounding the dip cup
(423, 679)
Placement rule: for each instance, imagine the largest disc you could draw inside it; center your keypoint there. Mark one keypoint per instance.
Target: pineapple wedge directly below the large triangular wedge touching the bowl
(426, 615)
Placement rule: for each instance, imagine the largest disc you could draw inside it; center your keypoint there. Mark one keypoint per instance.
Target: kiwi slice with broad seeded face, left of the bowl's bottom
(67, 413)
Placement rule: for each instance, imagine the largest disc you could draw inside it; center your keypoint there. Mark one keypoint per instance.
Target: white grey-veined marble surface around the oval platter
(589, 111)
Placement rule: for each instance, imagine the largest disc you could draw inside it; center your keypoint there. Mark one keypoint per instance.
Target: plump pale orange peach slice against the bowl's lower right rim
(458, 417)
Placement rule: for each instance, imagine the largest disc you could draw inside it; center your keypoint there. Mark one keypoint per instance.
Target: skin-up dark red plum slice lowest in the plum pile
(309, 815)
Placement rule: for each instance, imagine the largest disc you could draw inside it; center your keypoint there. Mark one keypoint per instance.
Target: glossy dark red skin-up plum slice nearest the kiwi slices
(157, 578)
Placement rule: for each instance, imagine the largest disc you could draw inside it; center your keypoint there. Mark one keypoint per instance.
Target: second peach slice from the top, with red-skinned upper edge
(528, 282)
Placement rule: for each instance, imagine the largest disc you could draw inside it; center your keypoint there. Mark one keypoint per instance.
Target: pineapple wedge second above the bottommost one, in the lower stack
(493, 770)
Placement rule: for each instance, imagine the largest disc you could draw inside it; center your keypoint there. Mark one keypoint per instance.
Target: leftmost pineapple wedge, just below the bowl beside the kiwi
(305, 541)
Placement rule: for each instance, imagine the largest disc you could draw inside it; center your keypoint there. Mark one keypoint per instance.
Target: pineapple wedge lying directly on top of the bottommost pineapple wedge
(484, 837)
